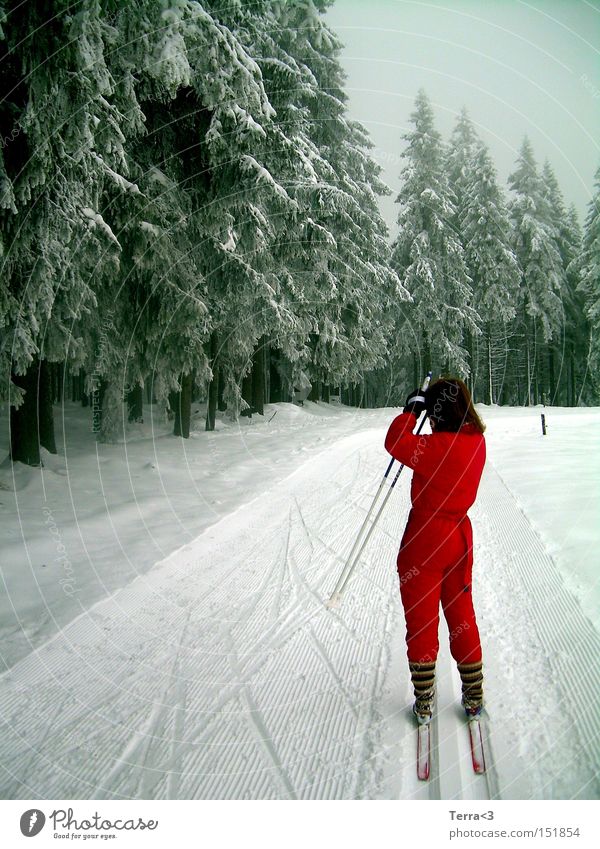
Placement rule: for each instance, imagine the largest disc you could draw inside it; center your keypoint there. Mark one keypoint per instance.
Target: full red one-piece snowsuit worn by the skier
(436, 553)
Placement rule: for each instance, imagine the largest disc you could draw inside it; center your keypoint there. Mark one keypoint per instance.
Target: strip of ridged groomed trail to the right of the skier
(541, 647)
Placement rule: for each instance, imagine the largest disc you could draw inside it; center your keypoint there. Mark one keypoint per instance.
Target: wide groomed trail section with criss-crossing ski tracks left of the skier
(222, 674)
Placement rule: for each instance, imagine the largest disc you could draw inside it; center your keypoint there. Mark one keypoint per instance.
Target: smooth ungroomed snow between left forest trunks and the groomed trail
(120, 508)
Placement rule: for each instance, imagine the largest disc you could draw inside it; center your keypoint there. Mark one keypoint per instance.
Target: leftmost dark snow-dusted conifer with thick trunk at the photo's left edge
(65, 133)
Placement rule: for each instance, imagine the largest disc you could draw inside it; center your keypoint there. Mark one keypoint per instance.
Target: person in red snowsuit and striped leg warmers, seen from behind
(436, 553)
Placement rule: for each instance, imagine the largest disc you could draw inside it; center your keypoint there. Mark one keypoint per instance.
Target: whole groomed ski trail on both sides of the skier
(221, 674)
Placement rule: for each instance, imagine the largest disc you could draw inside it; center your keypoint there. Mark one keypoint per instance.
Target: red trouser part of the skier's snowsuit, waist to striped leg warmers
(443, 574)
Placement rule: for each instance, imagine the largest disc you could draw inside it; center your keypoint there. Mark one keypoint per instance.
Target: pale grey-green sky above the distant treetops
(520, 68)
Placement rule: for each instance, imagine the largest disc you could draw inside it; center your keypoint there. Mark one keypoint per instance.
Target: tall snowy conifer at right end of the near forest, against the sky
(351, 280)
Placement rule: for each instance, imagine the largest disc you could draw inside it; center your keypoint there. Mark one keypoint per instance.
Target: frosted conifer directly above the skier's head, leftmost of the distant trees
(428, 255)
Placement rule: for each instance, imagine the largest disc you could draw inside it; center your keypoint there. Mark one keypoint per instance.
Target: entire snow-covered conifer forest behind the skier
(189, 214)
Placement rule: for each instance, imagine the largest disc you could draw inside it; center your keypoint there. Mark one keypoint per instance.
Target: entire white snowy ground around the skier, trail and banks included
(218, 672)
